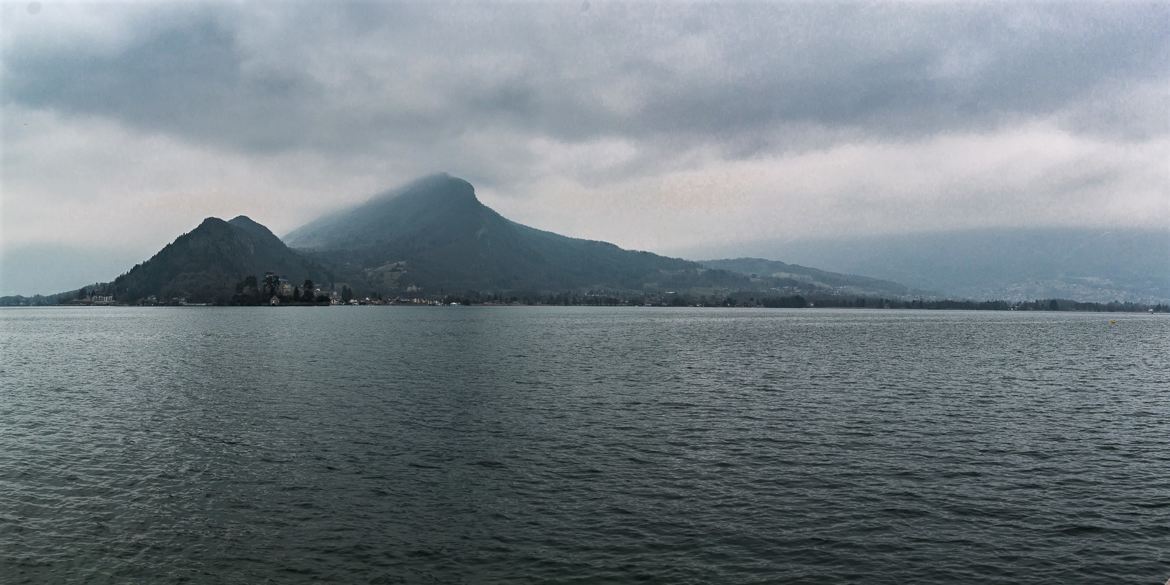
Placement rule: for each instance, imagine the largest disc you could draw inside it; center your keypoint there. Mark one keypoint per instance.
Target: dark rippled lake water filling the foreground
(520, 445)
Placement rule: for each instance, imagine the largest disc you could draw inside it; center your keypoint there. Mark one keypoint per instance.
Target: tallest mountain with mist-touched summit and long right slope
(436, 235)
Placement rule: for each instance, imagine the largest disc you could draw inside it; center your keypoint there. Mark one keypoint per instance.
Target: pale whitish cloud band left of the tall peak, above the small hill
(92, 181)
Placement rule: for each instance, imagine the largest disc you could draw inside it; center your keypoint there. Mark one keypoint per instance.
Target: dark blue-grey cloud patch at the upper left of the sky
(184, 79)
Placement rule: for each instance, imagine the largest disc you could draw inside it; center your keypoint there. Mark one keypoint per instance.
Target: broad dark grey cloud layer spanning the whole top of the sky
(347, 77)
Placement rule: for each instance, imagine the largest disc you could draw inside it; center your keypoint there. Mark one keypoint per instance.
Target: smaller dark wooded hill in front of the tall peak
(207, 264)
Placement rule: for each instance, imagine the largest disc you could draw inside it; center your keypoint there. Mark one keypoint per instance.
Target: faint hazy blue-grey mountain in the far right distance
(1009, 264)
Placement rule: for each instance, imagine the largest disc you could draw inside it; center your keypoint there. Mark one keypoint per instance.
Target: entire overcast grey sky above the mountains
(656, 126)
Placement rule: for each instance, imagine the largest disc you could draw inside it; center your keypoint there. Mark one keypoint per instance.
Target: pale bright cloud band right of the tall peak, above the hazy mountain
(1002, 178)
